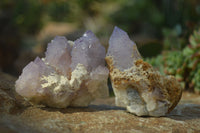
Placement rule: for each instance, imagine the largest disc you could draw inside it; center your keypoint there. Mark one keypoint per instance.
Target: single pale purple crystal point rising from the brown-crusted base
(122, 49)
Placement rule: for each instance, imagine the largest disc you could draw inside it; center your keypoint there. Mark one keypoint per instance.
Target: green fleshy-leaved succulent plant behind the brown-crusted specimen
(184, 65)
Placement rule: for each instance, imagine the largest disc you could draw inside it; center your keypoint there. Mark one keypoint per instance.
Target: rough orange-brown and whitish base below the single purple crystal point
(160, 88)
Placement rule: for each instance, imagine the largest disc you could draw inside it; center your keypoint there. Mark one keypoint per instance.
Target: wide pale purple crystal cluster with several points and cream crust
(71, 74)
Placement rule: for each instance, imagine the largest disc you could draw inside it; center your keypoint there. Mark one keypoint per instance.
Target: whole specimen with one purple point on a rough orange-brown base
(137, 86)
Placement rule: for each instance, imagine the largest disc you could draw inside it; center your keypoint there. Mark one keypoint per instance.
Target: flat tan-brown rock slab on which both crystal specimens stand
(23, 118)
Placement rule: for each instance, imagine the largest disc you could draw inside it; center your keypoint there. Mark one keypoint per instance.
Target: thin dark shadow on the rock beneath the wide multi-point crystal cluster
(90, 108)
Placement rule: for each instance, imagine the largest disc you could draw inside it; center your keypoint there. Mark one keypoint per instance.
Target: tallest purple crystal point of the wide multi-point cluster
(88, 51)
